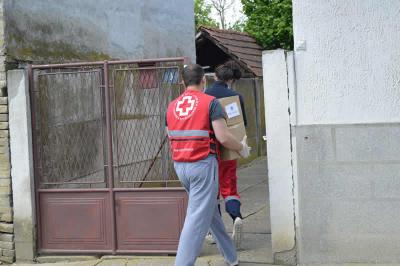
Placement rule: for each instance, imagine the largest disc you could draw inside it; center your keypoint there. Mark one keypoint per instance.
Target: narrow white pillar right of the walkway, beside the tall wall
(278, 149)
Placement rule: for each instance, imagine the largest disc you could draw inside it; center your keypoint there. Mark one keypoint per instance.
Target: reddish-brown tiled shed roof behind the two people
(239, 45)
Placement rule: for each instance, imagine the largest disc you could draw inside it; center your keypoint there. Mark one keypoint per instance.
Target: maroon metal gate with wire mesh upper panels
(104, 179)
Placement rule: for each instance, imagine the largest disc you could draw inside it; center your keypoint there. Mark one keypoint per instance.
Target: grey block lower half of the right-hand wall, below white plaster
(349, 193)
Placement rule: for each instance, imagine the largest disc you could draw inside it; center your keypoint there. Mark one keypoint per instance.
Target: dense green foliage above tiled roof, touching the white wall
(270, 22)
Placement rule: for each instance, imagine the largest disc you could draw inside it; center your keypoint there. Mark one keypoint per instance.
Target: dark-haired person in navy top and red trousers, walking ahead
(226, 75)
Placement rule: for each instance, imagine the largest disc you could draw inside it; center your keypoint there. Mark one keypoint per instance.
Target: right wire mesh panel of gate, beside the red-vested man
(141, 96)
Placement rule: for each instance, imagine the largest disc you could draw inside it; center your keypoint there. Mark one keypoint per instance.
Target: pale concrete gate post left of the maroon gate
(21, 164)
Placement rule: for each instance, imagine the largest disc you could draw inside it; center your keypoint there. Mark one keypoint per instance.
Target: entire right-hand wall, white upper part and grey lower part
(347, 130)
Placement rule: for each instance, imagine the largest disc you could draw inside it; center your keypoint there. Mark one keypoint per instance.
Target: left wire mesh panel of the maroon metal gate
(69, 128)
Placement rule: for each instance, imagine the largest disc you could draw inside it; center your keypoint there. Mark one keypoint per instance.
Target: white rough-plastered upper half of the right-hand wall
(348, 72)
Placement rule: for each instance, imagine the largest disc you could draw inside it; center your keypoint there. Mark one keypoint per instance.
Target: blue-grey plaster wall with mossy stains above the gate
(65, 30)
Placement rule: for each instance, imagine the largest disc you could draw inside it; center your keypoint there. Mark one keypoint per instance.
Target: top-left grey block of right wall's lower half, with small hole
(314, 144)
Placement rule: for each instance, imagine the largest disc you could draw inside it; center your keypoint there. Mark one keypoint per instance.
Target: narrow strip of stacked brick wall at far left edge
(7, 252)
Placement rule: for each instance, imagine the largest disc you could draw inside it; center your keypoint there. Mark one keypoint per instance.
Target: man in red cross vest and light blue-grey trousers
(196, 127)
